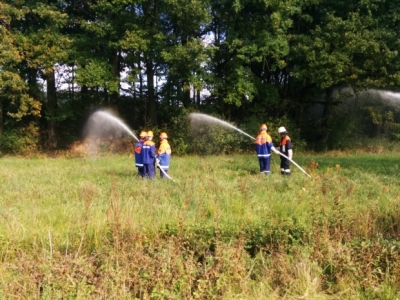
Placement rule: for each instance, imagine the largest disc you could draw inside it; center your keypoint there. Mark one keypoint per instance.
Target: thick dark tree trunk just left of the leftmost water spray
(51, 110)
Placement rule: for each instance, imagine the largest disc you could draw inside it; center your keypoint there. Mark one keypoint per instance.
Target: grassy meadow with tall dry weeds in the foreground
(90, 228)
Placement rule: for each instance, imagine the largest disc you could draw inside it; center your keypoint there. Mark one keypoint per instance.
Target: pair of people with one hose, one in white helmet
(264, 146)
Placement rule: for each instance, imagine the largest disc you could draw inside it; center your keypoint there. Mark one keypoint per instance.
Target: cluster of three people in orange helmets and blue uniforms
(147, 159)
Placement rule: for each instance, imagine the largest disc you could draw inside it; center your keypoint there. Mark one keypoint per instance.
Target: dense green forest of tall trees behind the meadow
(302, 64)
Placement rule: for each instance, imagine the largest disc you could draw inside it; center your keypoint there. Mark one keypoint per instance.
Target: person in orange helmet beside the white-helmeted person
(264, 146)
